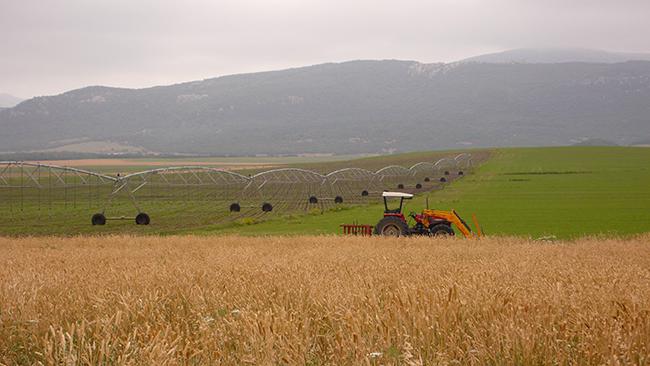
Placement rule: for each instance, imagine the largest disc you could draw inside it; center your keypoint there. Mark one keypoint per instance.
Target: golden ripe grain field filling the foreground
(323, 300)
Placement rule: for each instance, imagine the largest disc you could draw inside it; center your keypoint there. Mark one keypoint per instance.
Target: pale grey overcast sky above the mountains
(50, 46)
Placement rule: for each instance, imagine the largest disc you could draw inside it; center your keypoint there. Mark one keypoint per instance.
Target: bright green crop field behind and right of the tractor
(564, 192)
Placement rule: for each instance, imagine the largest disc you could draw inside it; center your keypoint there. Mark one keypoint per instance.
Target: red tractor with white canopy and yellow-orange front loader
(429, 222)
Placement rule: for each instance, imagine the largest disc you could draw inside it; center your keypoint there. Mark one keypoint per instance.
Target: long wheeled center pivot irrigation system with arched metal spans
(32, 192)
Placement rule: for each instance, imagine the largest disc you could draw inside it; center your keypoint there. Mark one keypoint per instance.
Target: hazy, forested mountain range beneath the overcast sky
(369, 106)
